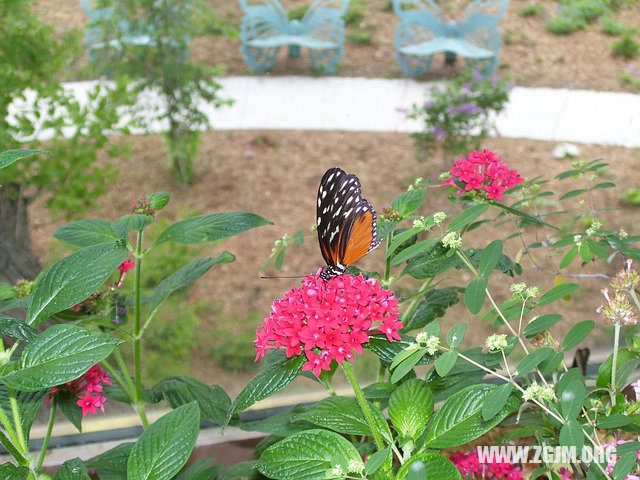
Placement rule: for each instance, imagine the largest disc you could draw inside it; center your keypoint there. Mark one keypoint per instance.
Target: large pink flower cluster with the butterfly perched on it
(329, 319)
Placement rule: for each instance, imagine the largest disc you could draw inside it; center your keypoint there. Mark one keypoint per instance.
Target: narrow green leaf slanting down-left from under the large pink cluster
(272, 377)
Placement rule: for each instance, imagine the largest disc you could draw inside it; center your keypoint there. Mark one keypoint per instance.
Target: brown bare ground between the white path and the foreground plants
(275, 174)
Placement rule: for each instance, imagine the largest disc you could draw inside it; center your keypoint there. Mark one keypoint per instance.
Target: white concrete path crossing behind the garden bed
(376, 105)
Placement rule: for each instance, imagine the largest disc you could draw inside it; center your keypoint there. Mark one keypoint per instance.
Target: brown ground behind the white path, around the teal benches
(531, 54)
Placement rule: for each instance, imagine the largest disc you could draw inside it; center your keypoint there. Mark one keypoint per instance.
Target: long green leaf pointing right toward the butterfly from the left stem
(210, 228)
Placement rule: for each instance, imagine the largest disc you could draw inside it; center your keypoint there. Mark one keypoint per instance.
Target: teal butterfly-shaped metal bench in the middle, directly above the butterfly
(266, 28)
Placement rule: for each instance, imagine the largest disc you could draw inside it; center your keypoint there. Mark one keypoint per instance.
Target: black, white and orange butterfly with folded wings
(346, 221)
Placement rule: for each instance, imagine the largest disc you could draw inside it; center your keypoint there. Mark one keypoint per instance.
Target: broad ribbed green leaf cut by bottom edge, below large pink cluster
(308, 455)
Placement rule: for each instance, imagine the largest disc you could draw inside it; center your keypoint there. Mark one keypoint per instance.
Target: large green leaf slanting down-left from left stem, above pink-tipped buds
(73, 279)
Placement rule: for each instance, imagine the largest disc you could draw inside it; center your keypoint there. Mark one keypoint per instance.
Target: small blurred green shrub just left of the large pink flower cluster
(231, 339)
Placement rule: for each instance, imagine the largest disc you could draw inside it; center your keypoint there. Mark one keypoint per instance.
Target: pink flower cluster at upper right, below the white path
(485, 173)
